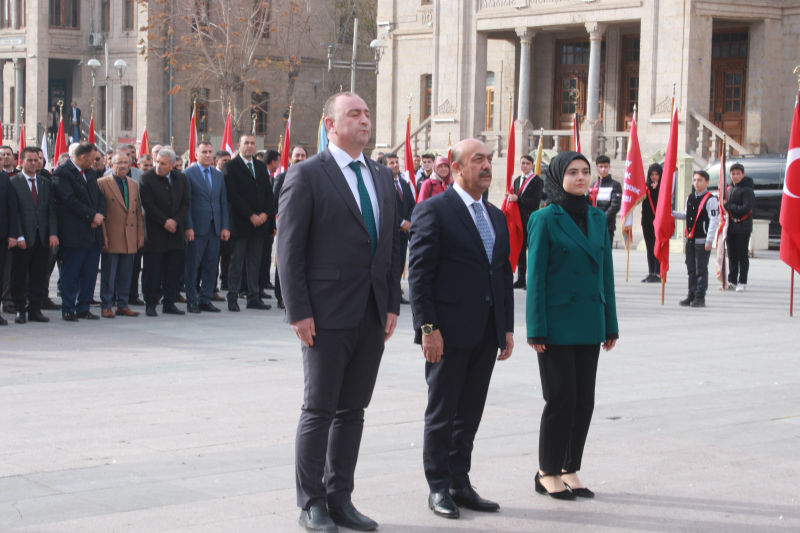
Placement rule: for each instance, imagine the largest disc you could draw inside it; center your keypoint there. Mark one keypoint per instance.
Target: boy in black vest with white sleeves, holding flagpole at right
(702, 220)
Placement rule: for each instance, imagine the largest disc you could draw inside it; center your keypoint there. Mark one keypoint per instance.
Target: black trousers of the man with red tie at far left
(31, 265)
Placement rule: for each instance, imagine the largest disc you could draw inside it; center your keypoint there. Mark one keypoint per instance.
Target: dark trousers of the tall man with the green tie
(340, 371)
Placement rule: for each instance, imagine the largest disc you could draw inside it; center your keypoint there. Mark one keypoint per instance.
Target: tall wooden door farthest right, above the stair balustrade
(729, 82)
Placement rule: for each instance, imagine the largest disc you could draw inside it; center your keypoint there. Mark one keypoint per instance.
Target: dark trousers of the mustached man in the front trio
(457, 389)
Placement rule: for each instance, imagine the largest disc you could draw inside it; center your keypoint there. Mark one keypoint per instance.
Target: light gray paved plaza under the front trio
(187, 424)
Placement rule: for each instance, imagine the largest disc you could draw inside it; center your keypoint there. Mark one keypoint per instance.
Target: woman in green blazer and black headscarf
(570, 313)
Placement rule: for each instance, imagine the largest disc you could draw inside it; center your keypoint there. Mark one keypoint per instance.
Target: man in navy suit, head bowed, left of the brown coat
(81, 210)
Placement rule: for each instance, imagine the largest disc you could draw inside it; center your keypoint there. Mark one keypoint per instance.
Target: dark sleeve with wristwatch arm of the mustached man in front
(423, 257)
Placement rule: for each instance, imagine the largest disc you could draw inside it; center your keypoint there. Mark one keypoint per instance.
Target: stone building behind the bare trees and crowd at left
(45, 46)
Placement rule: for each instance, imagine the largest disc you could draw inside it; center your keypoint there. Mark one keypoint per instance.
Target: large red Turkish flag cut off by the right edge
(790, 201)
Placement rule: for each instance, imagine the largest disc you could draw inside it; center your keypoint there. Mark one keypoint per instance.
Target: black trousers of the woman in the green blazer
(568, 377)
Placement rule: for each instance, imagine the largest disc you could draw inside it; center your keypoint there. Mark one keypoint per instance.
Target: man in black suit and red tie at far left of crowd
(37, 235)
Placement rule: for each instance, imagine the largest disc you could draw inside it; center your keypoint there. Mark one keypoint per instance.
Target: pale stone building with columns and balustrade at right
(730, 62)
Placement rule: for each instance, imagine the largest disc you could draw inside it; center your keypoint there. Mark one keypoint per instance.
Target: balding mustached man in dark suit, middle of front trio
(462, 299)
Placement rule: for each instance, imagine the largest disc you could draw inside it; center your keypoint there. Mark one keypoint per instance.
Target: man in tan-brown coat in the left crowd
(124, 235)
